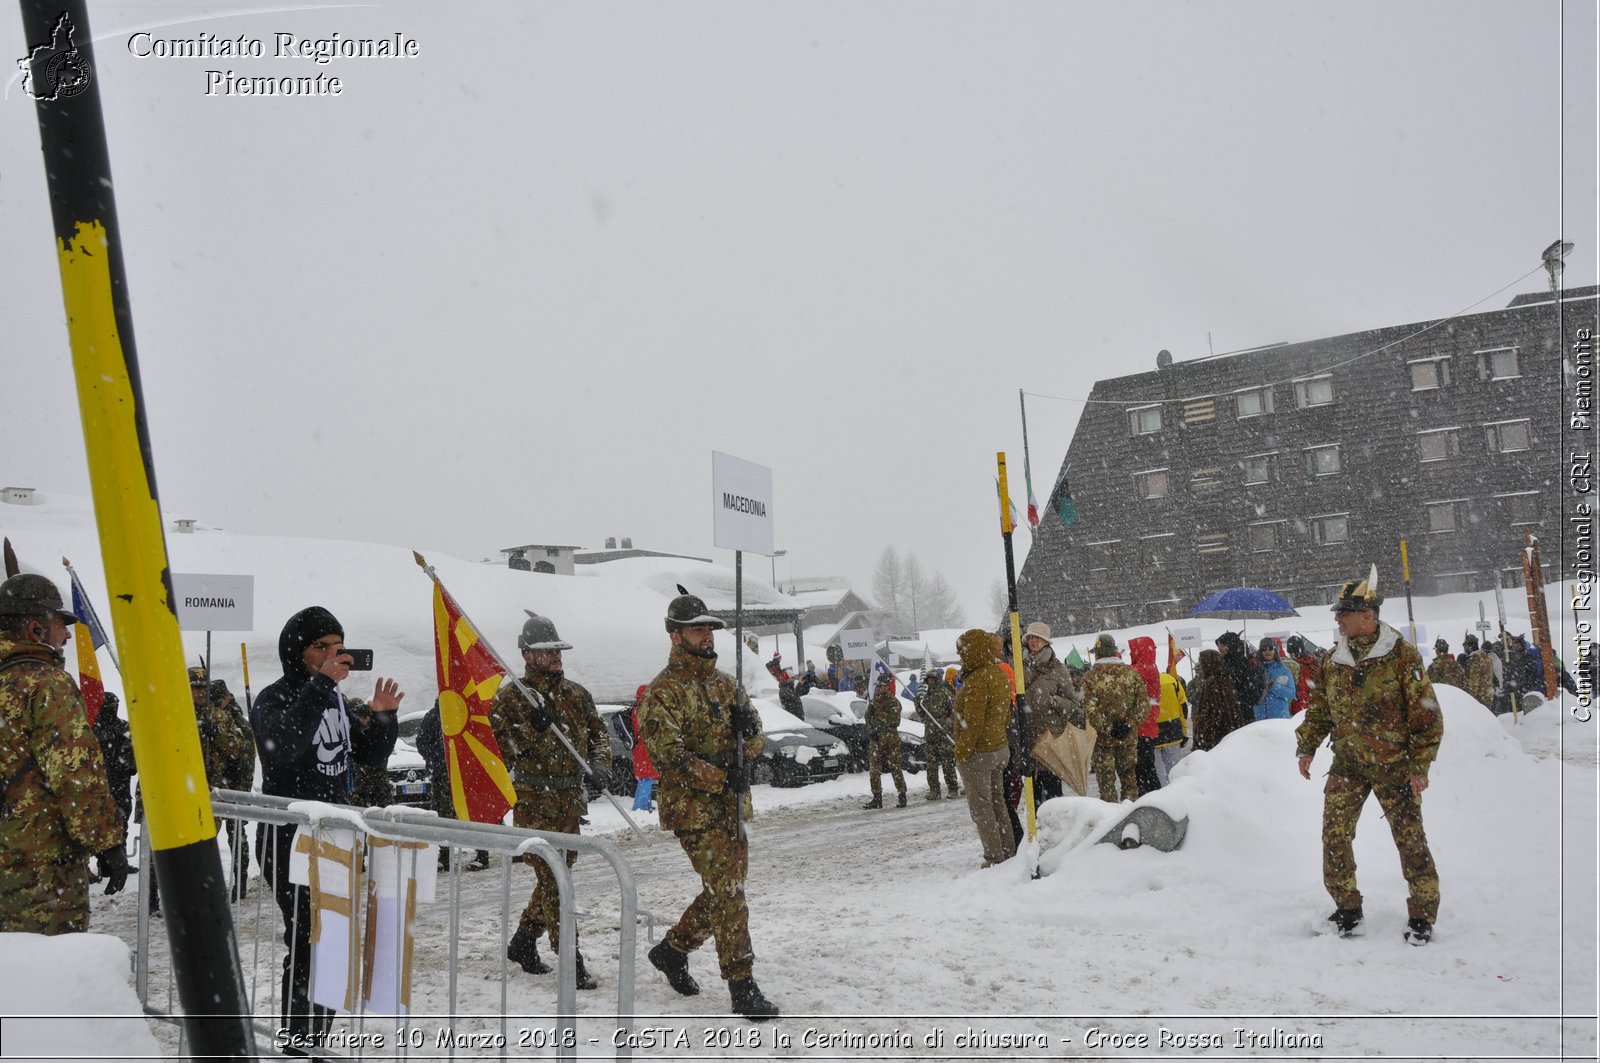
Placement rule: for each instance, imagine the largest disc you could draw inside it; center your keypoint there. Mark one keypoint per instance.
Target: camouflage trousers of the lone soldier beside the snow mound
(1343, 800)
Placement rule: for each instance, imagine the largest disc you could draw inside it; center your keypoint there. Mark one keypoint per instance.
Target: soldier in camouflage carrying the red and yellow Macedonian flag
(548, 779)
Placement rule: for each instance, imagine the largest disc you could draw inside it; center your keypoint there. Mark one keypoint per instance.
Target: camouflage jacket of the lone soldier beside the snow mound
(1378, 705)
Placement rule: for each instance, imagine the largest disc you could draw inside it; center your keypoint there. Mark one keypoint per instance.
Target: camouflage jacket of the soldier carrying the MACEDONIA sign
(686, 724)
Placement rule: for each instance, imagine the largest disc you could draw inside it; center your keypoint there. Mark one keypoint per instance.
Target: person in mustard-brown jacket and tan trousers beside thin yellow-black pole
(983, 708)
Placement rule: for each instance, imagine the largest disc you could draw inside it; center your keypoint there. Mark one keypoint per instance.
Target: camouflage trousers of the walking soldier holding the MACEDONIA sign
(722, 860)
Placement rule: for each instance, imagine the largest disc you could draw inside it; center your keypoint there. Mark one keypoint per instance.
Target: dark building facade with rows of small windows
(1298, 467)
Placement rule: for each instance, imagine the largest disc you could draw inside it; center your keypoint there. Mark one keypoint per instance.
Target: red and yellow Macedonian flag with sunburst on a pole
(468, 678)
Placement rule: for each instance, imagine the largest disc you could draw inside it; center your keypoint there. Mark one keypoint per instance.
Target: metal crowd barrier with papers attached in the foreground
(415, 825)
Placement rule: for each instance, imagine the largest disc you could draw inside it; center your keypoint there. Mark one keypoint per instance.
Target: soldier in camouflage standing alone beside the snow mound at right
(1386, 728)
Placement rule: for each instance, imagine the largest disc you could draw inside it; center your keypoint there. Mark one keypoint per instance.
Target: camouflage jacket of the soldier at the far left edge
(57, 801)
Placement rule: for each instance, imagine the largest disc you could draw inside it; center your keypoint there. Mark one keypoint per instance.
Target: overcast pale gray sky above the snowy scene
(518, 289)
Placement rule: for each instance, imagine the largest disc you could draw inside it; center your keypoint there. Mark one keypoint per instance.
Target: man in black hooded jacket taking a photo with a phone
(310, 745)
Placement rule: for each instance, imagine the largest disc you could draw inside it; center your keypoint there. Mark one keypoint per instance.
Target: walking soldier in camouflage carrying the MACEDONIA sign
(698, 731)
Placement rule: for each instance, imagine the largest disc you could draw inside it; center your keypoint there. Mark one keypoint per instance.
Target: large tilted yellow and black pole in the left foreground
(122, 476)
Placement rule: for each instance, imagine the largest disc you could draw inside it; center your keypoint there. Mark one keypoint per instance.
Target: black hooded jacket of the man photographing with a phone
(310, 744)
